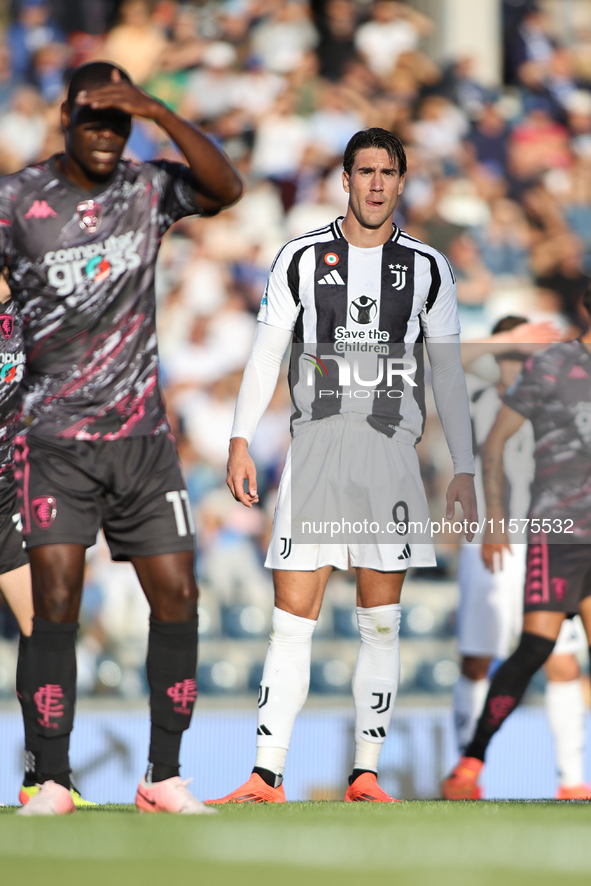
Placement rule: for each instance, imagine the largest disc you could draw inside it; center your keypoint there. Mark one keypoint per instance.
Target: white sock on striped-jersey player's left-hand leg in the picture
(284, 687)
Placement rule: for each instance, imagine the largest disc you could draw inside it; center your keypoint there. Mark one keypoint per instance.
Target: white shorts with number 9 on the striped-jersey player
(371, 474)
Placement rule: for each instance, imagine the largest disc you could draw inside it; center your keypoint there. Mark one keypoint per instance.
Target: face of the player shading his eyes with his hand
(95, 140)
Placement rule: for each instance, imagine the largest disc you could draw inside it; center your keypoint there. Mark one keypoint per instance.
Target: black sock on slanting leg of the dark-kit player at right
(508, 688)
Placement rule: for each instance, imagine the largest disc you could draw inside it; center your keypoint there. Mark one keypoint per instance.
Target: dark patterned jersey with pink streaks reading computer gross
(81, 267)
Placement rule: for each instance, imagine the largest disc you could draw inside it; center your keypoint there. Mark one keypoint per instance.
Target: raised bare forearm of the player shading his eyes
(217, 180)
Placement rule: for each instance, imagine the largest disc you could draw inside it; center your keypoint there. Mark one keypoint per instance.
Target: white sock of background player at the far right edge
(565, 708)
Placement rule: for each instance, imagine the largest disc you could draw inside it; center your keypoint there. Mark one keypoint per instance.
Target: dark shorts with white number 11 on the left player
(132, 488)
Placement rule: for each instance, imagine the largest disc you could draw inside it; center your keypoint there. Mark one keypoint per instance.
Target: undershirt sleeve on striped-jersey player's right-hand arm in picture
(451, 399)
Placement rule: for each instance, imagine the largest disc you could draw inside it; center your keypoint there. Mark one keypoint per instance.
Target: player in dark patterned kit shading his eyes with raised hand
(80, 234)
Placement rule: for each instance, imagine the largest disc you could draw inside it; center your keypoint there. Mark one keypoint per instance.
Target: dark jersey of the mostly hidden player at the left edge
(12, 364)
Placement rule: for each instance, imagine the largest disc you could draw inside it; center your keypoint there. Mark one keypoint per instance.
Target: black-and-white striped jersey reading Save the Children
(359, 317)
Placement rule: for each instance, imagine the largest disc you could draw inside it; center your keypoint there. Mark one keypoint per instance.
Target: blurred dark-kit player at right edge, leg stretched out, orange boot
(554, 393)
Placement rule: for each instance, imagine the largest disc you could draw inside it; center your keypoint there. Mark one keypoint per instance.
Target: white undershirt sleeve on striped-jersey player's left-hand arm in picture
(260, 378)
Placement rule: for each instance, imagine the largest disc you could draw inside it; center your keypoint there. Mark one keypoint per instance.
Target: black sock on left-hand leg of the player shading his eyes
(50, 679)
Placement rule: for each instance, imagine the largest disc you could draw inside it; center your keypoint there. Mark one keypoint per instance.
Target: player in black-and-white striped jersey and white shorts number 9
(359, 286)
